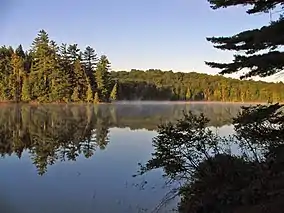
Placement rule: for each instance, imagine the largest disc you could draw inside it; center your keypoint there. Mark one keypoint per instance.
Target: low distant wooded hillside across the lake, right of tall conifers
(166, 85)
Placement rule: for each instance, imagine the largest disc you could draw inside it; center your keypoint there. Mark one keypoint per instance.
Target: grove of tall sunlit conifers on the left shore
(52, 73)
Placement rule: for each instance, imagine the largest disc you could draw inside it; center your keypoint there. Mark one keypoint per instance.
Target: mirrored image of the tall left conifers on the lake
(52, 133)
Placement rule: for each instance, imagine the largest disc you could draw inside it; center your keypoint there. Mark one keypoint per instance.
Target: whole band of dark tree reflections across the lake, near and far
(51, 133)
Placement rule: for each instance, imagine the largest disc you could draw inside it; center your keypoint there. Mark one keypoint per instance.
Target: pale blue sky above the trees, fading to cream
(134, 34)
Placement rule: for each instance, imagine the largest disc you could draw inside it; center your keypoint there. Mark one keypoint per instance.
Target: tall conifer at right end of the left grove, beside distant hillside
(103, 77)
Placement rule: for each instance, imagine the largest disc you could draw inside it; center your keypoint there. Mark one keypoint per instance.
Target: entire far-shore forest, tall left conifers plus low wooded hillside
(49, 72)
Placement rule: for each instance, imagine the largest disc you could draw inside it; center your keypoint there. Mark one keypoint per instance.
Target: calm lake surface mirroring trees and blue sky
(81, 158)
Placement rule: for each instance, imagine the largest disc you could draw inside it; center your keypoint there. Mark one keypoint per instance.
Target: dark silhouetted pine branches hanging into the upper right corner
(268, 39)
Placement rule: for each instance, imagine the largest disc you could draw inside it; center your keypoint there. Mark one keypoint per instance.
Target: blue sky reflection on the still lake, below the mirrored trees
(100, 184)
